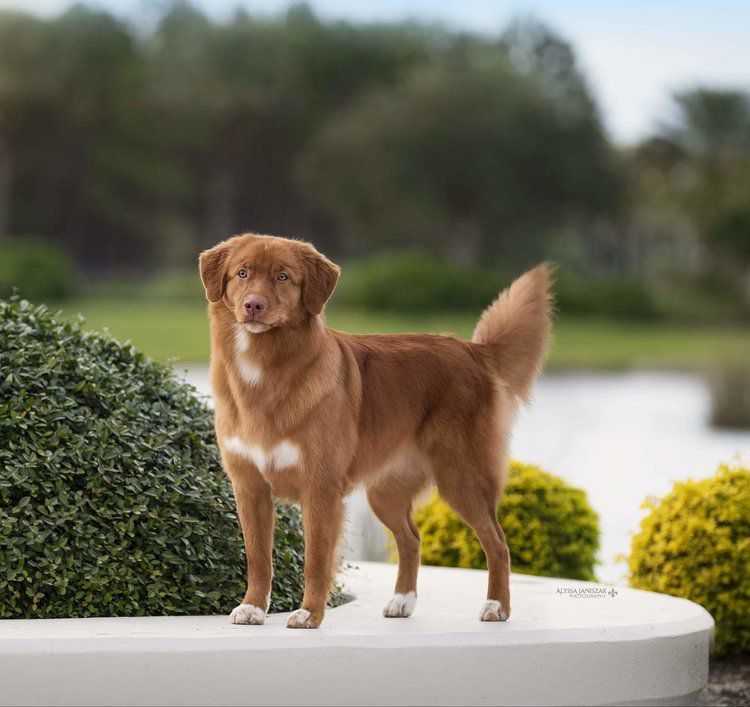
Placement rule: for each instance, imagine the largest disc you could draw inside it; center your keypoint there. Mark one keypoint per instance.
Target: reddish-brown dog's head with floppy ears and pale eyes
(268, 282)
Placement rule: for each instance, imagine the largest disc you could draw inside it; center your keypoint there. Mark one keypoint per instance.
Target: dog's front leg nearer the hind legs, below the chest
(322, 516)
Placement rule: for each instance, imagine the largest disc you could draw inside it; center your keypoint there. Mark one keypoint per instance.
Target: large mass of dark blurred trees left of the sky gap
(137, 148)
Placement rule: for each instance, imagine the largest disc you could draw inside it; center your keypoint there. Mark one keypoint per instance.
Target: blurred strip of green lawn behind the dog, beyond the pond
(180, 330)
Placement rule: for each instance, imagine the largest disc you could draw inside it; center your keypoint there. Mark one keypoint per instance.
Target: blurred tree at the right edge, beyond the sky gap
(692, 185)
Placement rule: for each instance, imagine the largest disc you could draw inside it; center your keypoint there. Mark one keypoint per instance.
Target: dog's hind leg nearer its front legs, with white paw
(391, 500)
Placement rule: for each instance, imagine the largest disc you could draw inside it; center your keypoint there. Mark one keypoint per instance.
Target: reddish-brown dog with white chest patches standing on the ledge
(306, 413)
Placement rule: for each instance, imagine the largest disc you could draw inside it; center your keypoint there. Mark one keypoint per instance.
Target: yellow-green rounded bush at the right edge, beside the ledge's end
(695, 543)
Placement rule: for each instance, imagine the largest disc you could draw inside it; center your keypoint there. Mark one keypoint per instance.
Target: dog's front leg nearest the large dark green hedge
(255, 509)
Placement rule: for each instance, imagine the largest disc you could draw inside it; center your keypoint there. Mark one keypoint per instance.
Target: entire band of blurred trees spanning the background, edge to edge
(134, 147)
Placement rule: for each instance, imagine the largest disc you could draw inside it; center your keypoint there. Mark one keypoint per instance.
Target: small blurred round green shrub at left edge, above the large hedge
(37, 269)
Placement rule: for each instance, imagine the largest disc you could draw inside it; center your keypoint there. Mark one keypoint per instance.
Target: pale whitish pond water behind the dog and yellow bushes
(619, 436)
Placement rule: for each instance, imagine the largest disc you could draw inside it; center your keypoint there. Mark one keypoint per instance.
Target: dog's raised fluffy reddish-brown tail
(516, 328)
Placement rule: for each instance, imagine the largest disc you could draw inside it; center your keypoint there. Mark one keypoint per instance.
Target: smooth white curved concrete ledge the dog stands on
(557, 648)
